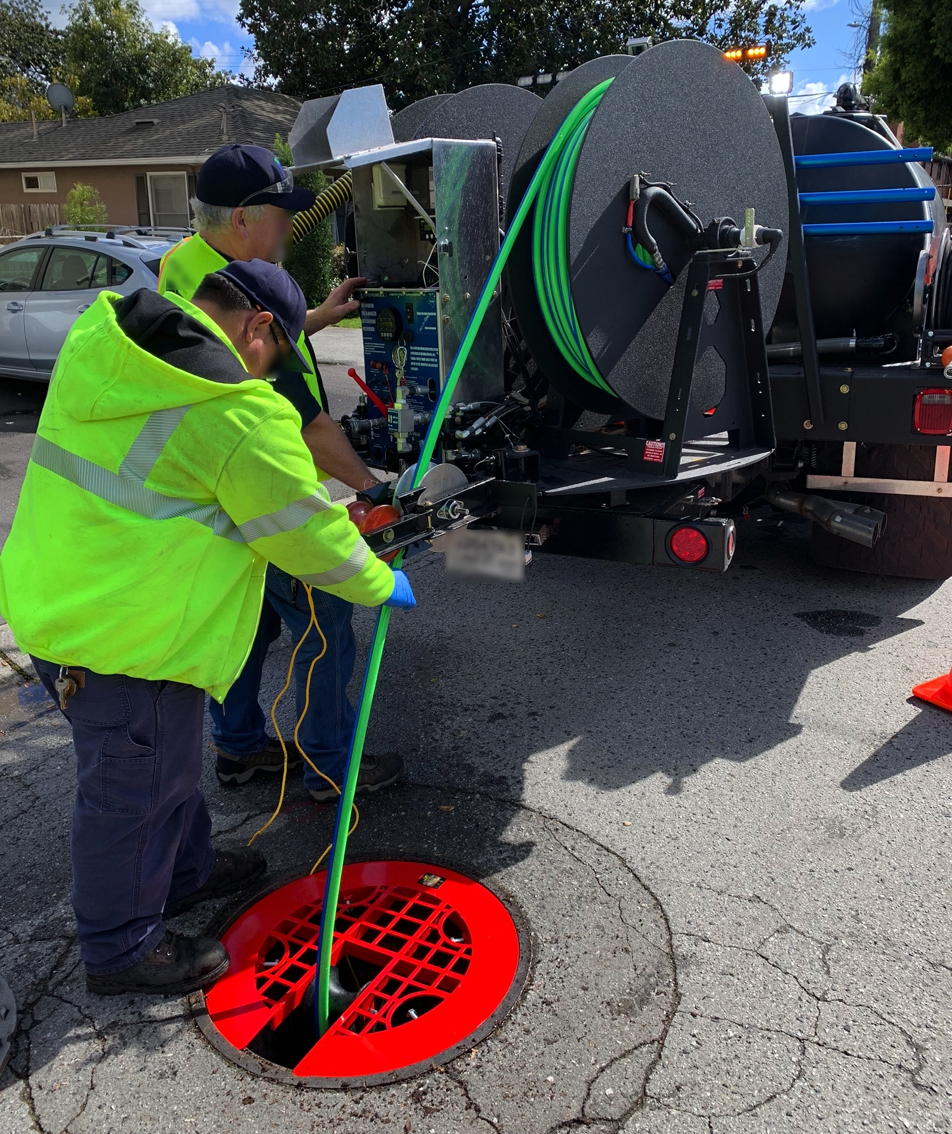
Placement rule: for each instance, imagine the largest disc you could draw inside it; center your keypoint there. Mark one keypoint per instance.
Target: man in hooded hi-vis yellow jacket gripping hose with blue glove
(166, 475)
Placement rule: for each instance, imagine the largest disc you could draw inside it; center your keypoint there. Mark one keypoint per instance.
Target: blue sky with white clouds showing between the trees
(210, 28)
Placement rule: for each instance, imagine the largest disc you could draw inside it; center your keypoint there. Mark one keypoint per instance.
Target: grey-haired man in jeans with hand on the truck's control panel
(244, 206)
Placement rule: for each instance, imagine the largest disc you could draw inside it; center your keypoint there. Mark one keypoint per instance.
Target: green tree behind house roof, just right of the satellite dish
(123, 63)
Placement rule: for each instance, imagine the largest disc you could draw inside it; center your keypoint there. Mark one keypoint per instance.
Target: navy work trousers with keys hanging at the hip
(140, 824)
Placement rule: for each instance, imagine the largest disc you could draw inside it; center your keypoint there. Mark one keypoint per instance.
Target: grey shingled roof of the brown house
(181, 131)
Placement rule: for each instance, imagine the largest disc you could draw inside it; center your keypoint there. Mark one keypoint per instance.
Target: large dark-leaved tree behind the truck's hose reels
(416, 48)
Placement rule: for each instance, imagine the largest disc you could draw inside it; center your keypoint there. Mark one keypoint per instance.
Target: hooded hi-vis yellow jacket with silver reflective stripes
(154, 502)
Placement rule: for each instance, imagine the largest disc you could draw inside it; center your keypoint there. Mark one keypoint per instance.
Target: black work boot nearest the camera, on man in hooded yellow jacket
(176, 966)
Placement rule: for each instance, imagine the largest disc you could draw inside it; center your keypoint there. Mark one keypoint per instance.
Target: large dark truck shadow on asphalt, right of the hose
(606, 675)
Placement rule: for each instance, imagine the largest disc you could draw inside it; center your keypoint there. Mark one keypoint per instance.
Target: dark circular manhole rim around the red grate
(265, 1069)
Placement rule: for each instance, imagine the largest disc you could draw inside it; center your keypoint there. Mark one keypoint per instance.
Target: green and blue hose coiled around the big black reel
(551, 268)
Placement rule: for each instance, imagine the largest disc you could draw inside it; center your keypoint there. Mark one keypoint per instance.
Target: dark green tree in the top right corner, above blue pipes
(913, 80)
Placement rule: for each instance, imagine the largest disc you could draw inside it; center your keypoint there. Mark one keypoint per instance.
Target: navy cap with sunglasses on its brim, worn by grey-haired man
(249, 175)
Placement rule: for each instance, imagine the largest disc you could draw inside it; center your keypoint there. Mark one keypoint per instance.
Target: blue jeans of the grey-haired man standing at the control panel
(239, 725)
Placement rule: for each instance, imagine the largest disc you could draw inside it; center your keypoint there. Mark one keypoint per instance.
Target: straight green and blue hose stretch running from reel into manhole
(577, 120)
